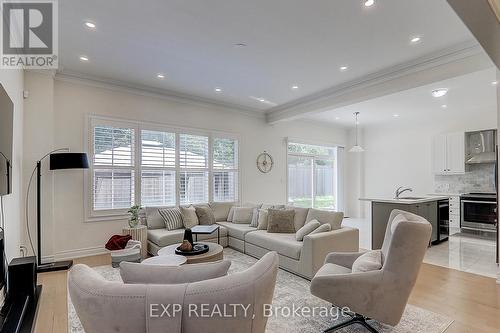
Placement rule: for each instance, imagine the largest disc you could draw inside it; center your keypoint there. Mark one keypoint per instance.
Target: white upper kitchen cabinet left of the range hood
(449, 154)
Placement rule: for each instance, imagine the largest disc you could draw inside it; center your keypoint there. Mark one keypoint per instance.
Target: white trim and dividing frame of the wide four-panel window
(119, 214)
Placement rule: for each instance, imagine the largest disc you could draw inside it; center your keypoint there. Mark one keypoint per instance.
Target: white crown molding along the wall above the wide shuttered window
(142, 90)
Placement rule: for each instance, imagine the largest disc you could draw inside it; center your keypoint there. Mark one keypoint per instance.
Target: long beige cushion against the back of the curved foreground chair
(134, 273)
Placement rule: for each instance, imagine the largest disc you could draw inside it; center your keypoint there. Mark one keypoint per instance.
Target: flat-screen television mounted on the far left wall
(6, 132)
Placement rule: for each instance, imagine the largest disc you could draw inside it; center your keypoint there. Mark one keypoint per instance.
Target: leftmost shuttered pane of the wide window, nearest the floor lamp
(113, 167)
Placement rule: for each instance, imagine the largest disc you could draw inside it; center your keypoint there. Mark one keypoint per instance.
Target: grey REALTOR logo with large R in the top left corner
(29, 34)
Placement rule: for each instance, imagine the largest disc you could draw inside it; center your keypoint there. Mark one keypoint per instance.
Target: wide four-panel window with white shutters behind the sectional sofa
(173, 167)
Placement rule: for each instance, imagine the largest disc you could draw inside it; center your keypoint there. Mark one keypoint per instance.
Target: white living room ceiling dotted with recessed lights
(289, 42)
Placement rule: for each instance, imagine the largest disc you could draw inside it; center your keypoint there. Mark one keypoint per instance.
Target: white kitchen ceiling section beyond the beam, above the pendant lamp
(473, 92)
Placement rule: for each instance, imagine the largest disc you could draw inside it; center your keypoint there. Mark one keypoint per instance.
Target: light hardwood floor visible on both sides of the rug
(472, 301)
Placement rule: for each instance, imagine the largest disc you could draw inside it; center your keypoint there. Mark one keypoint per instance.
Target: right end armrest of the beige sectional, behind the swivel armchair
(317, 246)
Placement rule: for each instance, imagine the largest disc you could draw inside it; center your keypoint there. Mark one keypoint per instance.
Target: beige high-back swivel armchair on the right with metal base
(379, 294)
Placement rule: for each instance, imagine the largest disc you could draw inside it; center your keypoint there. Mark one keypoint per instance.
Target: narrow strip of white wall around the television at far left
(12, 81)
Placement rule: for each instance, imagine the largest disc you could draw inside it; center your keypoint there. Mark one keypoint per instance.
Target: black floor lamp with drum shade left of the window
(58, 161)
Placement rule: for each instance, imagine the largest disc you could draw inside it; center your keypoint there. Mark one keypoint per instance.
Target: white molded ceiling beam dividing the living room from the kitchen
(384, 82)
